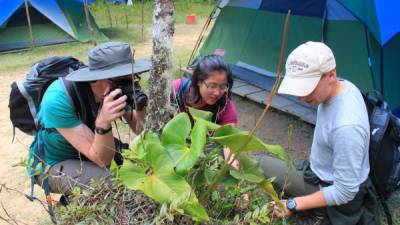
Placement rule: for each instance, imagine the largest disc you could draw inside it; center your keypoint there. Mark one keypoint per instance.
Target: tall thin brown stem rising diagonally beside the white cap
(222, 172)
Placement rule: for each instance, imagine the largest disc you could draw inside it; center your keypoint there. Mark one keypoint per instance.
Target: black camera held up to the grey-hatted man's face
(134, 96)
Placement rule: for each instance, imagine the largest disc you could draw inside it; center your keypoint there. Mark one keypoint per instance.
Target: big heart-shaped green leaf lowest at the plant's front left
(154, 174)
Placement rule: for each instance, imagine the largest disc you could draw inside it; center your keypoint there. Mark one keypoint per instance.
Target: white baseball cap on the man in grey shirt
(304, 67)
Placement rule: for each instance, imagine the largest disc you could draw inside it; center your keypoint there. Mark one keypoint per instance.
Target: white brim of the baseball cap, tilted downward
(298, 86)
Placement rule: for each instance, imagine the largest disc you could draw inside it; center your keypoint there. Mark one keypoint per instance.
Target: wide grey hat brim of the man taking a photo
(85, 74)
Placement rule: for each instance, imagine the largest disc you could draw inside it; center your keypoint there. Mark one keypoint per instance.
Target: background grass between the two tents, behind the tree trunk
(116, 29)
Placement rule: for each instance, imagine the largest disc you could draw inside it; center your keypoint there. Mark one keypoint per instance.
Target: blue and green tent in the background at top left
(53, 22)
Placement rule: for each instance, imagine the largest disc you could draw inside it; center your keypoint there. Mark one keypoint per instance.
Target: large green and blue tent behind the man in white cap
(253, 50)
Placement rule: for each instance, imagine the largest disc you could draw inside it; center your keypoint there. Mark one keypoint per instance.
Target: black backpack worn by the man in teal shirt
(27, 94)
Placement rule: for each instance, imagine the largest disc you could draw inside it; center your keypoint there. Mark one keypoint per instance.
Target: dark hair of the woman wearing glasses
(202, 71)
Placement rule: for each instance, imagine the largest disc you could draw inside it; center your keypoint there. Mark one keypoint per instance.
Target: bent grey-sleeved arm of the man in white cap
(350, 144)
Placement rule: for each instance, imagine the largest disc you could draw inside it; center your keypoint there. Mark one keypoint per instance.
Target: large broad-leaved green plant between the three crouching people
(173, 169)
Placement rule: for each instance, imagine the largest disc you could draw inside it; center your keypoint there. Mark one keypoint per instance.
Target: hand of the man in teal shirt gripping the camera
(112, 108)
